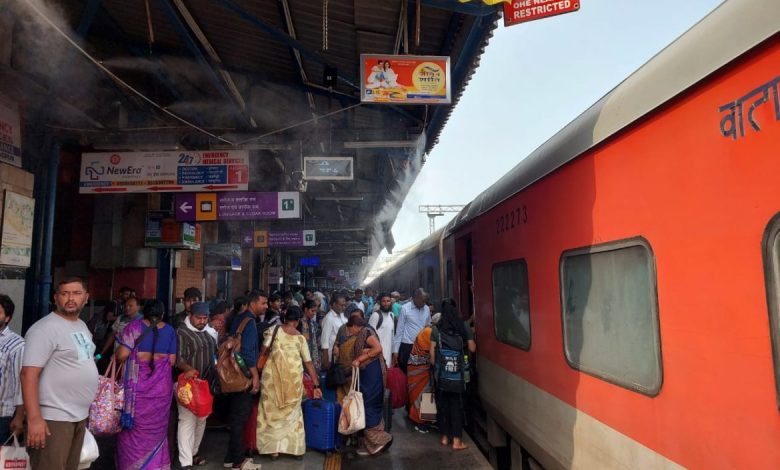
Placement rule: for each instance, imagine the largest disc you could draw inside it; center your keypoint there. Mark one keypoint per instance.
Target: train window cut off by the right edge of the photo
(771, 250)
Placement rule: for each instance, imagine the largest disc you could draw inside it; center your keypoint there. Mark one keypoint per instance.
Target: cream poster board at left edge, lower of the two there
(16, 236)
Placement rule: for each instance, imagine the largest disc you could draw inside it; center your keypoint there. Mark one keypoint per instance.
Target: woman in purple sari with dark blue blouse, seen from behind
(149, 347)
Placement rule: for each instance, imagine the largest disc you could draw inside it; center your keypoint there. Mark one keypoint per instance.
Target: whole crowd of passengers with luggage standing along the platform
(49, 378)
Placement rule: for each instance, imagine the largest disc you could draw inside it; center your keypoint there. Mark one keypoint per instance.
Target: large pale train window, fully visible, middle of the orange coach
(610, 314)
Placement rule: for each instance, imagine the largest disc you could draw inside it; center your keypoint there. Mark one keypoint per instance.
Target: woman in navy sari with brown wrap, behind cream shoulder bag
(367, 353)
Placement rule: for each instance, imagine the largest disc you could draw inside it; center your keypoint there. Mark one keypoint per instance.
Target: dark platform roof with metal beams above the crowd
(202, 74)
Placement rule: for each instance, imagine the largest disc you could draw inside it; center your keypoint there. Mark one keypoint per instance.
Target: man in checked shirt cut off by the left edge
(11, 352)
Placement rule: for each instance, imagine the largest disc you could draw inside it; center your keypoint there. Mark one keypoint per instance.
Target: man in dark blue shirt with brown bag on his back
(243, 324)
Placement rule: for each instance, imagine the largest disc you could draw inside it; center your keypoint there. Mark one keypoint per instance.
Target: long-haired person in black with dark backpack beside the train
(450, 339)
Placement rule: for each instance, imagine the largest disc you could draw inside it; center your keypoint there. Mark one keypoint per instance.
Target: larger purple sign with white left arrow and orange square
(241, 205)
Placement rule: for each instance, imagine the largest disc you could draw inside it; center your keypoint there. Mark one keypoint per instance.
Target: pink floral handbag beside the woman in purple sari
(106, 409)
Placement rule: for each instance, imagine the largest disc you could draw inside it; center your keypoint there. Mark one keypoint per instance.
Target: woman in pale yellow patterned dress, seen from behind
(279, 416)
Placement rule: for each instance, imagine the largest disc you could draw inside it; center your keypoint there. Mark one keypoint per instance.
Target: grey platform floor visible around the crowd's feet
(409, 451)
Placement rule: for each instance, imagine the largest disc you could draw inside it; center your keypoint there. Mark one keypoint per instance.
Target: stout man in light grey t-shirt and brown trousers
(59, 380)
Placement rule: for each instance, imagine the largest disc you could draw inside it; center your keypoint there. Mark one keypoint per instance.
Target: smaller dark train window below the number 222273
(511, 308)
